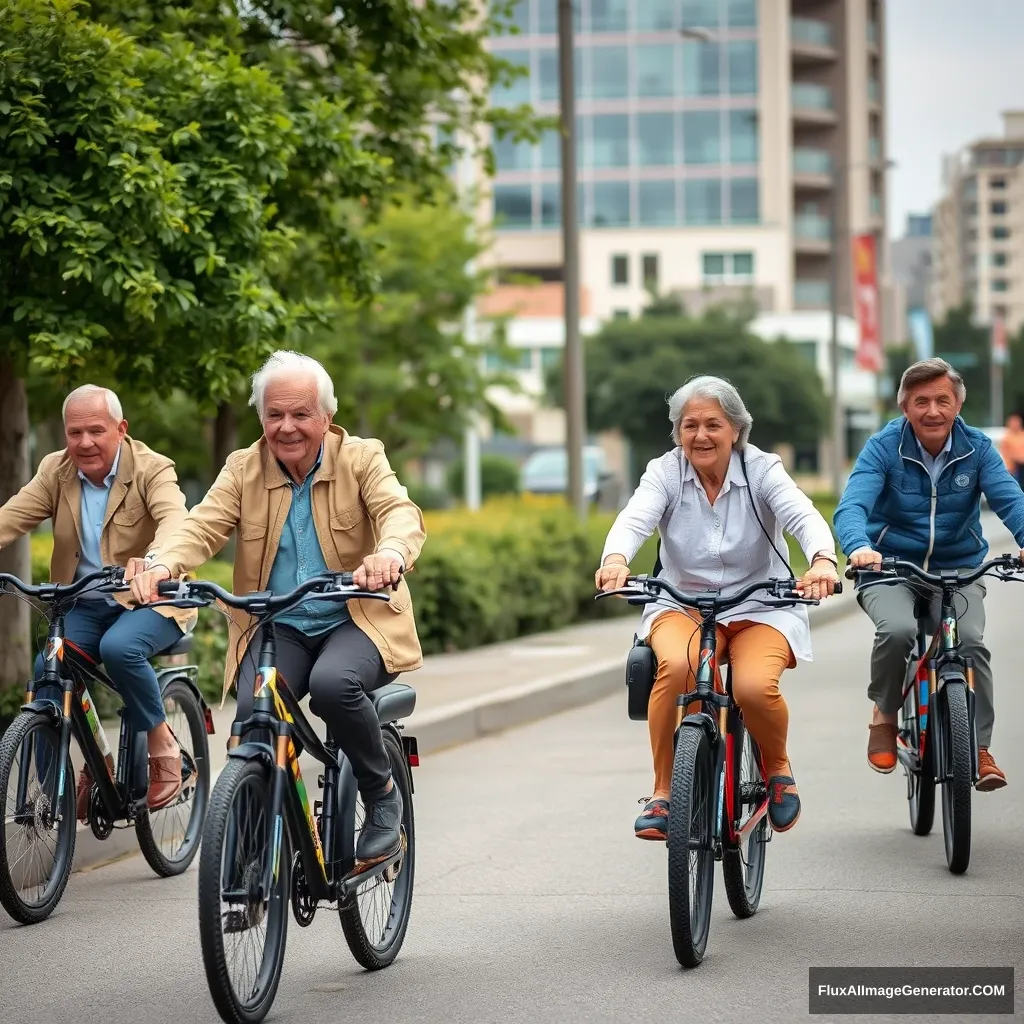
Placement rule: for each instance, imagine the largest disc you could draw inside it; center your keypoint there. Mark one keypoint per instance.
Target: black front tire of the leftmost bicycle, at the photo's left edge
(21, 911)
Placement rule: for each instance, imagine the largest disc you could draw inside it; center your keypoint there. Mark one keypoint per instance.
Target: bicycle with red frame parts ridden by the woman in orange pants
(717, 775)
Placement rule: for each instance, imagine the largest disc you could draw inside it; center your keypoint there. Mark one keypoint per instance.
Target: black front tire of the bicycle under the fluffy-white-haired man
(238, 776)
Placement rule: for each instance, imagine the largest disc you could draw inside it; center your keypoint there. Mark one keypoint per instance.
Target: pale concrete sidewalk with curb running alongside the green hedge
(474, 694)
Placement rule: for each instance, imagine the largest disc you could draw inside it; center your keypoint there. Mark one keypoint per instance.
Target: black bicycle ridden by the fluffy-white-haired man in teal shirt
(261, 810)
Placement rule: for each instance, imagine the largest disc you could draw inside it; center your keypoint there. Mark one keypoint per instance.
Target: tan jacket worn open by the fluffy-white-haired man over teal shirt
(359, 508)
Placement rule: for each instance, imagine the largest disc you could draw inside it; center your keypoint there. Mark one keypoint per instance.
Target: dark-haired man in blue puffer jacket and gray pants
(915, 494)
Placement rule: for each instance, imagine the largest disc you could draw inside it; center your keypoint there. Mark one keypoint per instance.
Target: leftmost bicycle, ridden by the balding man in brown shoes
(39, 741)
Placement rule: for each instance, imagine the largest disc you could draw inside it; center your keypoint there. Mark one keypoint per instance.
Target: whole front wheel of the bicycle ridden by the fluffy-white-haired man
(242, 928)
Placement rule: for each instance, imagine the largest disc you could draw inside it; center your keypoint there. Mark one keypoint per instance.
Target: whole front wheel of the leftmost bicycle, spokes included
(37, 847)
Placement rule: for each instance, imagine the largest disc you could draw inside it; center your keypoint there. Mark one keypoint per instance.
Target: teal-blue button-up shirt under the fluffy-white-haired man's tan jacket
(300, 558)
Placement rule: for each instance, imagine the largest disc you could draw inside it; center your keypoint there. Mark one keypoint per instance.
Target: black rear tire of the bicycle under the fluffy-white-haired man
(369, 955)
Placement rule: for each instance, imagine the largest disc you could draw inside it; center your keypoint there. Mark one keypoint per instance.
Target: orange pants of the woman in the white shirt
(758, 655)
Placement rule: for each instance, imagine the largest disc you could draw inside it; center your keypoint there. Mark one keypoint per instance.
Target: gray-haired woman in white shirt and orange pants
(706, 498)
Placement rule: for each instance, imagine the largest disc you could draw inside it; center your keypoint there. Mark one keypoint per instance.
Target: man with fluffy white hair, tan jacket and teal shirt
(309, 498)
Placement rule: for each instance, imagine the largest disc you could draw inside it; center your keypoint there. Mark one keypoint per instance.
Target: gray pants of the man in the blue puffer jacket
(891, 609)
